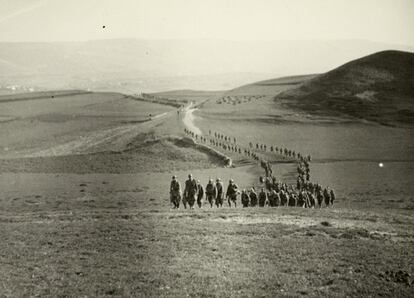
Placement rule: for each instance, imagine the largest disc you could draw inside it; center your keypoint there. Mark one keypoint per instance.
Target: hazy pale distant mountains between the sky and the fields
(131, 65)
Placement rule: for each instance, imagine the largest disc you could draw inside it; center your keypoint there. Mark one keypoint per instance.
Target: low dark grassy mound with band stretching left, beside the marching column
(145, 153)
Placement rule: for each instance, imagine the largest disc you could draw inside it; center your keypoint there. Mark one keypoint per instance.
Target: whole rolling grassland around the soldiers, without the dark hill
(84, 206)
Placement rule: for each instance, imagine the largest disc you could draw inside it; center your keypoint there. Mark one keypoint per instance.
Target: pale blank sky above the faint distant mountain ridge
(388, 21)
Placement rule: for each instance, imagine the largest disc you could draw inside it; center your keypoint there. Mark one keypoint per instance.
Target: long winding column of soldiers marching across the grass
(306, 194)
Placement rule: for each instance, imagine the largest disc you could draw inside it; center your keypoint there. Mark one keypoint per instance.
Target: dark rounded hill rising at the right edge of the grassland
(378, 87)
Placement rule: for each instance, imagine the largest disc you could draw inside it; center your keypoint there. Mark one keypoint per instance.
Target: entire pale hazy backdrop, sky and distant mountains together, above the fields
(190, 44)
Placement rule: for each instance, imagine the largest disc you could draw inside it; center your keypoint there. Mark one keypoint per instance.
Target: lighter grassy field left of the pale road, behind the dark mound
(61, 123)
